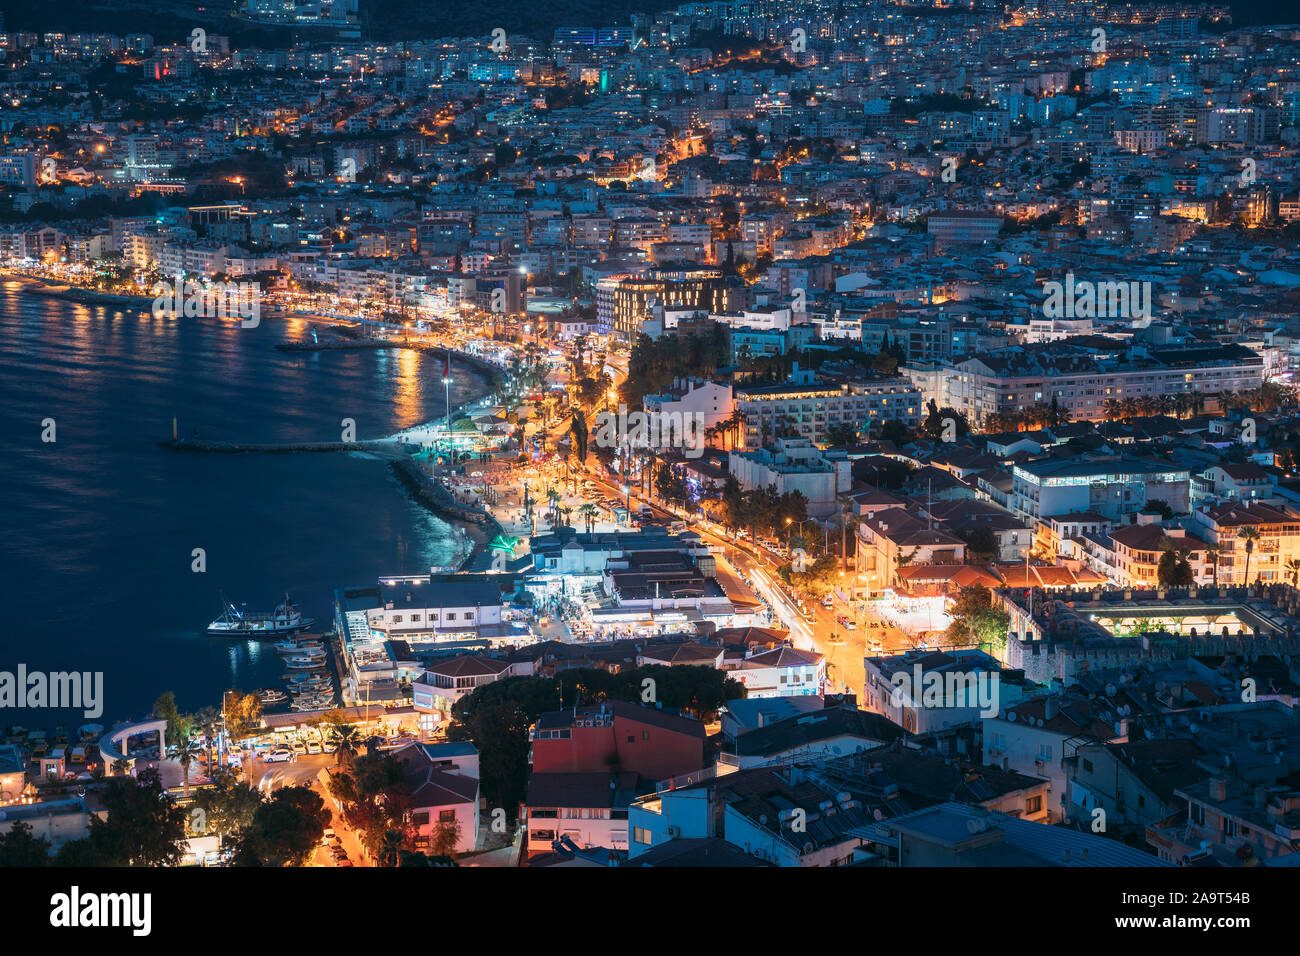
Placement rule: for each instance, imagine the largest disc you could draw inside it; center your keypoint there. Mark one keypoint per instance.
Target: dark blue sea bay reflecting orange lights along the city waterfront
(99, 527)
